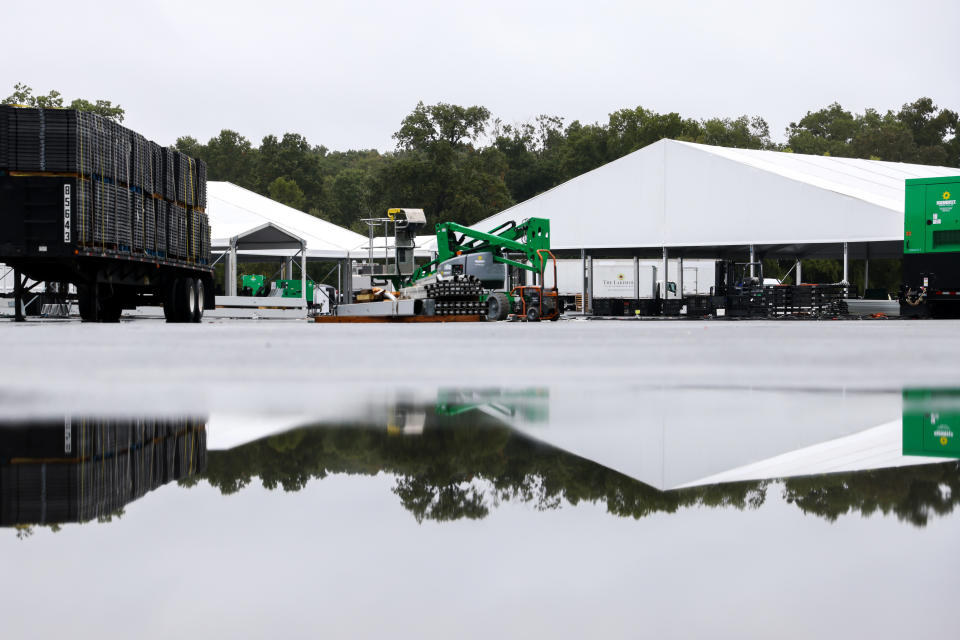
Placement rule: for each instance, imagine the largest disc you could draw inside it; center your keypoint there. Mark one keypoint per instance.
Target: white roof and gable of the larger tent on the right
(691, 196)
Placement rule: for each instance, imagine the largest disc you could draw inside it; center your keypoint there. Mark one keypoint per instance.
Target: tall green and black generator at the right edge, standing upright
(931, 247)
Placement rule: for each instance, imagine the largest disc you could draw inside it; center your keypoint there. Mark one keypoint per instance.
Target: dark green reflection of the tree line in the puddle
(466, 460)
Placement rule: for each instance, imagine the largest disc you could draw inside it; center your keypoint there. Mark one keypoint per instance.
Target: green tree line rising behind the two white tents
(460, 163)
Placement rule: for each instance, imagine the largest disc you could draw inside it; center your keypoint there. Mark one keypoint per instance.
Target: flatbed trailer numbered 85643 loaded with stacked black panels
(125, 223)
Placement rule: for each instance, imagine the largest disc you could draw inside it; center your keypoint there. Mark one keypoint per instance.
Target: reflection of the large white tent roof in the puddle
(667, 440)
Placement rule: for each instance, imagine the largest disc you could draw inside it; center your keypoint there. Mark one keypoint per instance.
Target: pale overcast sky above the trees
(344, 74)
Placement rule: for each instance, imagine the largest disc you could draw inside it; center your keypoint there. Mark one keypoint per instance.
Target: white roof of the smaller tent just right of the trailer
(234, 211)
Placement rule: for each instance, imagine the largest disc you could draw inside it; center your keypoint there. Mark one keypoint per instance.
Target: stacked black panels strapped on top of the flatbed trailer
(132, 195)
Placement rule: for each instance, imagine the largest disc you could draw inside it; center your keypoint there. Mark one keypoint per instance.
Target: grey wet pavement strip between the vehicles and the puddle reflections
(144, 365)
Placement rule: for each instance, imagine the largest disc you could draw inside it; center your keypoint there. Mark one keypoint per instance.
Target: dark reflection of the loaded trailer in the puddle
(79, 469)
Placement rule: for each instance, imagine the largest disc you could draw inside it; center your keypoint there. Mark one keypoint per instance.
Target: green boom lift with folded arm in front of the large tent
(489, 257)
